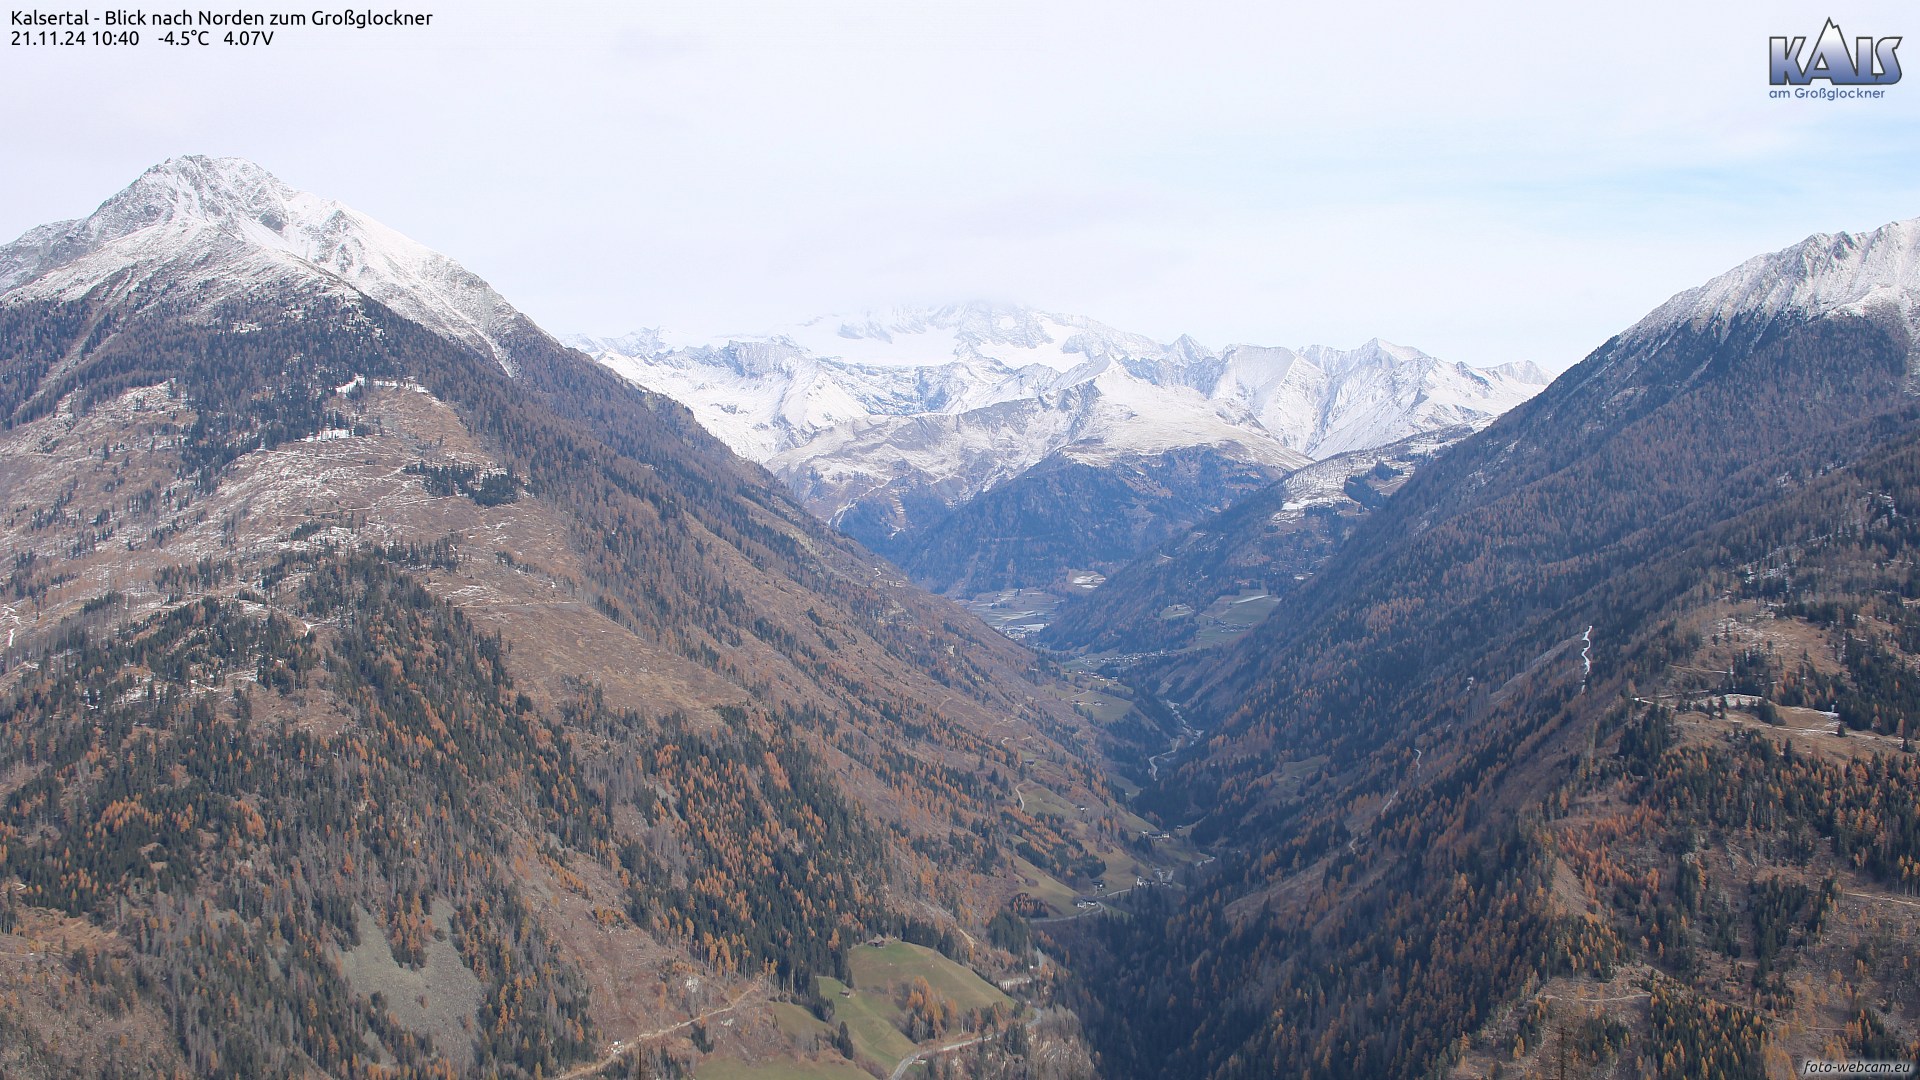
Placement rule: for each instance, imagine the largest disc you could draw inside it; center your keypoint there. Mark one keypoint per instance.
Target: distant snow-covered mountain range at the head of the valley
(957, 401)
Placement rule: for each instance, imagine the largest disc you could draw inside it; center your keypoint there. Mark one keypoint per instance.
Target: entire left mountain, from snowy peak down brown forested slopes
(389, 689)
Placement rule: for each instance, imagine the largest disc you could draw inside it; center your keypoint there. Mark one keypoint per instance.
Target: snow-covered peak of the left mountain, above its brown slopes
(222, 226)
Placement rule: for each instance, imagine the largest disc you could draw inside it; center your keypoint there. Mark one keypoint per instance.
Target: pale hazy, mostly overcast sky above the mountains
(1483, 182)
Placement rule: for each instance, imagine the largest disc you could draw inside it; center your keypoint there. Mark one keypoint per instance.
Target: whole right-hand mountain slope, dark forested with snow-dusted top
(1537, 731)
